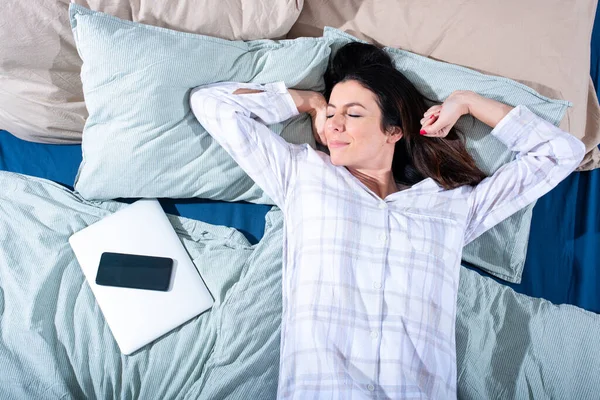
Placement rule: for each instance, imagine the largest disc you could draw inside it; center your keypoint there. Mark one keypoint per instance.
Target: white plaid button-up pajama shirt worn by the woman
(370, 284)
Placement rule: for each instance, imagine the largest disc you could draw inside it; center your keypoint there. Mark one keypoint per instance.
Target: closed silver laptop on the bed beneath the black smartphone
(137, 317)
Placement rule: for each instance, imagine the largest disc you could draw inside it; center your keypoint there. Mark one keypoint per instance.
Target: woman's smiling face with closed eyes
(353, 129)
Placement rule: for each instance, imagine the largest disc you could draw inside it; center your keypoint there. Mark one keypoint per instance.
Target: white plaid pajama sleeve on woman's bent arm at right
(545, 156)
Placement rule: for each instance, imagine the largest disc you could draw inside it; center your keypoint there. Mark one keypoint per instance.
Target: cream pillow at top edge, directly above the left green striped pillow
(233, 19)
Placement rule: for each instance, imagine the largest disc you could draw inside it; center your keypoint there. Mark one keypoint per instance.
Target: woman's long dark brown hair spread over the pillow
(416, 157)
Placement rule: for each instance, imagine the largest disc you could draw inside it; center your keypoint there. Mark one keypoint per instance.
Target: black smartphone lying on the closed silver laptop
(134, 271)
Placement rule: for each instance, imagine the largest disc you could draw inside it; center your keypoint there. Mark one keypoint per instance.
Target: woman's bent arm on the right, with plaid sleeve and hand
(545, 156)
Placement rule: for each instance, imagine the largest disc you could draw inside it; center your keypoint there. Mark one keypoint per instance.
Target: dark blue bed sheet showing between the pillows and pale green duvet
(563, 259)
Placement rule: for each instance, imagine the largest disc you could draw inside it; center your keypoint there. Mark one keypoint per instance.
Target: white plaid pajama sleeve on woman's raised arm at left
(237, 123)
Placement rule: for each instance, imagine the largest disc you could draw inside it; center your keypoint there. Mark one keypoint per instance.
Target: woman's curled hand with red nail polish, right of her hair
(438, 120)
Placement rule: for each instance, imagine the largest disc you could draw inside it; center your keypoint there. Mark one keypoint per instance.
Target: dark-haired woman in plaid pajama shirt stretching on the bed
(374, 230)
